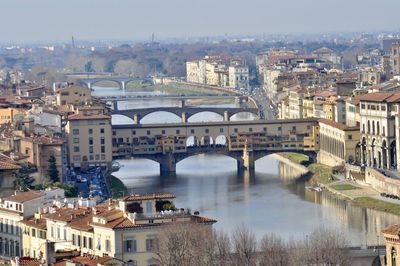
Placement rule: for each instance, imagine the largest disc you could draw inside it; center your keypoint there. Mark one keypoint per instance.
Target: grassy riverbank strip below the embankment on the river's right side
(359, 195)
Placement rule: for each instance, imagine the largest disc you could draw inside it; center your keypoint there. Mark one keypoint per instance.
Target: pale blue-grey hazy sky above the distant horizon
(47, 20)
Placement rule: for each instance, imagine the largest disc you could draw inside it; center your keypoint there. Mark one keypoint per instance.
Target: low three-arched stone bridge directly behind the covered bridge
(183, 112)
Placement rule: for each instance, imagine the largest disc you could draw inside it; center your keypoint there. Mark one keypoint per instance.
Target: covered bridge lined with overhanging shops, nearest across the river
(244, 141)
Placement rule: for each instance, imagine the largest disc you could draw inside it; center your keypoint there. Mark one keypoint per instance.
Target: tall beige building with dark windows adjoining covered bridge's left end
(89, 140)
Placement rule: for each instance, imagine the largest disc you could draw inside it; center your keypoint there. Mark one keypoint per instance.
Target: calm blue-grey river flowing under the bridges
(270, 200)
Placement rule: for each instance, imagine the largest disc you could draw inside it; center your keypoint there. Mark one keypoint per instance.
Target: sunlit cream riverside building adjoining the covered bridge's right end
(339, 143)
